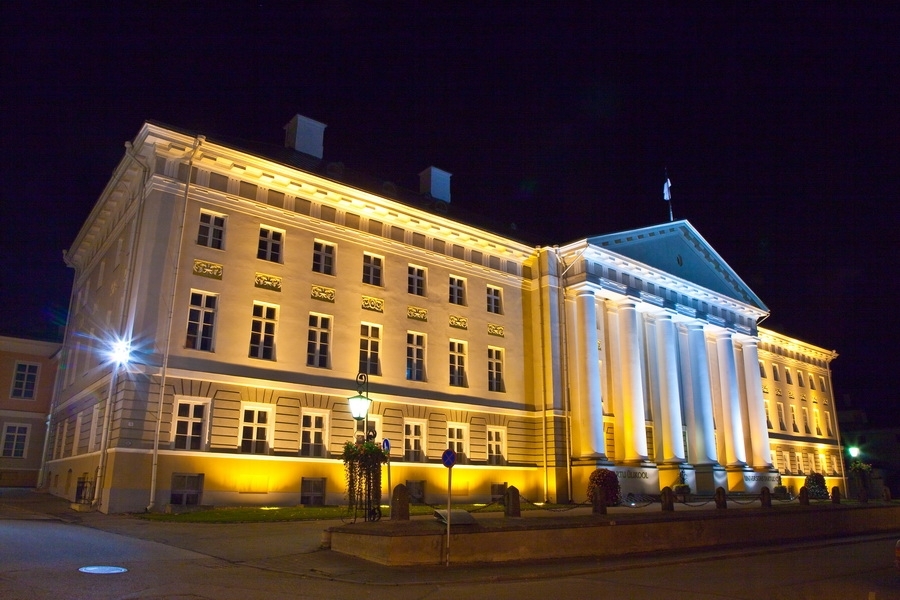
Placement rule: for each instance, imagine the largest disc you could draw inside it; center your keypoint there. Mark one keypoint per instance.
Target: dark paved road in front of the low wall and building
(43, 543)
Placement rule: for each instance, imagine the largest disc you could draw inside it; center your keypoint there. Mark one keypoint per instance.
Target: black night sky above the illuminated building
(777, 124)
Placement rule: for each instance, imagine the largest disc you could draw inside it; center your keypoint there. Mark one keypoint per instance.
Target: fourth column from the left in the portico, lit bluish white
(698, 404)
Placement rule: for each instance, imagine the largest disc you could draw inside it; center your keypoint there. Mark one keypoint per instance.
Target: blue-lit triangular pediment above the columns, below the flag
(678, 249)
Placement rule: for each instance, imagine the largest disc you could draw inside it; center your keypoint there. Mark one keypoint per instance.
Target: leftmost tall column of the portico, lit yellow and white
(587, 358)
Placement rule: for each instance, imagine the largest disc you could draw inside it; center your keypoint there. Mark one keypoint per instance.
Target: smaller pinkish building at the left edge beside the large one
(27, 376)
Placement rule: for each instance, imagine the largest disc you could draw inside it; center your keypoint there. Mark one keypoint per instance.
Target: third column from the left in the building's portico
(669, 400)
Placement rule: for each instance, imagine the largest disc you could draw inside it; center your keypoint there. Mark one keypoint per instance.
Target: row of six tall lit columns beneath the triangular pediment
(675, 350)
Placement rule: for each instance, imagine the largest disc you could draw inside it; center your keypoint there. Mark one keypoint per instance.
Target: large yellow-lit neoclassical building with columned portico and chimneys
(255, 284)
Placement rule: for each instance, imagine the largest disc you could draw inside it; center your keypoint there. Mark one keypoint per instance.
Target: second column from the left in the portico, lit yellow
(634, 430)
